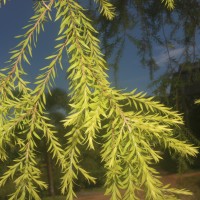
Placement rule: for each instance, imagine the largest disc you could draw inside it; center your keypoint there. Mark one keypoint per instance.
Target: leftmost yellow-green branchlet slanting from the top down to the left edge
(13, 80)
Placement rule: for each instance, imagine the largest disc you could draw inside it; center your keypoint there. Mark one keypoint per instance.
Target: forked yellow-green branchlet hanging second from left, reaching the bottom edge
(32, 114)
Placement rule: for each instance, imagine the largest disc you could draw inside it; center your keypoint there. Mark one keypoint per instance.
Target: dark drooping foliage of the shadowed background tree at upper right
(148, 26)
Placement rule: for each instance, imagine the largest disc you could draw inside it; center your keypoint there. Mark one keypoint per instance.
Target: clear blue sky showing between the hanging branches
(16, 14)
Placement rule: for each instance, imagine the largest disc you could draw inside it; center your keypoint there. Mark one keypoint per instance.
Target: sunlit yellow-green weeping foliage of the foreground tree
(130, 137)
